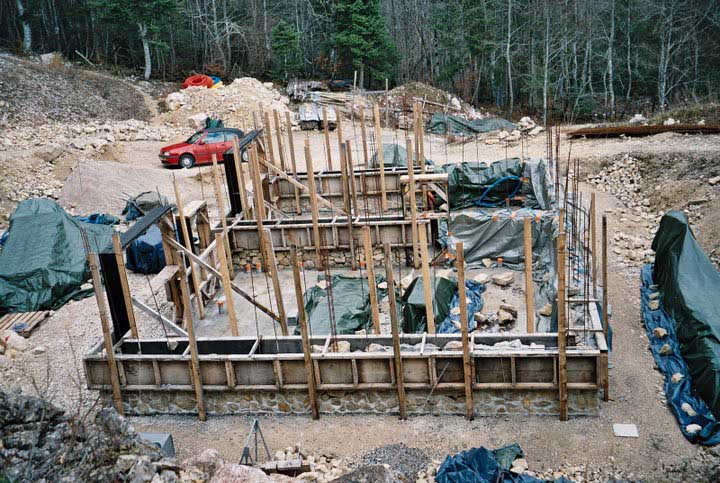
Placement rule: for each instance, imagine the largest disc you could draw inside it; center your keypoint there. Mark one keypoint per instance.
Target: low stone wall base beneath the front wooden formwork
(487, 402)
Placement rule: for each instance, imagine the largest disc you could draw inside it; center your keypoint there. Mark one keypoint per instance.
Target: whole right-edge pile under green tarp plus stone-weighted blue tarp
(680, 296)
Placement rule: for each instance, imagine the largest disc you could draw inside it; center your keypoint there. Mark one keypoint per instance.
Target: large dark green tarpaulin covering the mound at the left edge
(43, 263)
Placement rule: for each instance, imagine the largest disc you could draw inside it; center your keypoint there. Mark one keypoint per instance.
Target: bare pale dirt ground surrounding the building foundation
(101, 183)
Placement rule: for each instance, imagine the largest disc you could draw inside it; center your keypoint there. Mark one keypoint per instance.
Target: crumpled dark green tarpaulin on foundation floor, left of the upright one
(351, 302)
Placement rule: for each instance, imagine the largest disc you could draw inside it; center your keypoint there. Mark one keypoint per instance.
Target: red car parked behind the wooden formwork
(199, 148)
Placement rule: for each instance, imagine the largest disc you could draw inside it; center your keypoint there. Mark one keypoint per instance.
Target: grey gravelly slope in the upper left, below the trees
(32, 94)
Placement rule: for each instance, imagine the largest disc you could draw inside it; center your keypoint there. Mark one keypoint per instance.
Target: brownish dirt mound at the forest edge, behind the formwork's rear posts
(402, 96)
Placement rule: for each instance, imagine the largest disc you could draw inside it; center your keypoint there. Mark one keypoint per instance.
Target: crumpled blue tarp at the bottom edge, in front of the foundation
(481, 465)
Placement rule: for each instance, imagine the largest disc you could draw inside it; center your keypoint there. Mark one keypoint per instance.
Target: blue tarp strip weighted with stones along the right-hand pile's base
(673, 363)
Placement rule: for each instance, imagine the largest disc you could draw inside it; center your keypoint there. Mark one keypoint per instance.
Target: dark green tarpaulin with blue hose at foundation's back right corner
(468, 181)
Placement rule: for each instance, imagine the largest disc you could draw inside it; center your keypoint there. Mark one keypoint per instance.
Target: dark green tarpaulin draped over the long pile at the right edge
(689, 285)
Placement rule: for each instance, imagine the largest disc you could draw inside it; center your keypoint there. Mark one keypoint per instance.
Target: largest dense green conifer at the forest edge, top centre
(362, 40)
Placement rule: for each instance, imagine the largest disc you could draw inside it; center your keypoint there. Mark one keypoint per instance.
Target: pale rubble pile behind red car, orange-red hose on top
(233, 103)
